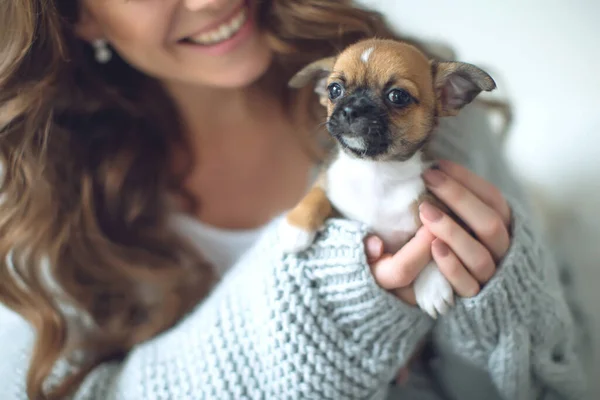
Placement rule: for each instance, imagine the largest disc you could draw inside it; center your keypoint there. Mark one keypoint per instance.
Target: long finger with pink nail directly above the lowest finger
(473, 255)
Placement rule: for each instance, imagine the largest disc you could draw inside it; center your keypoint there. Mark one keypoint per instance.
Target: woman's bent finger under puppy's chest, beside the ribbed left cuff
(400, 270)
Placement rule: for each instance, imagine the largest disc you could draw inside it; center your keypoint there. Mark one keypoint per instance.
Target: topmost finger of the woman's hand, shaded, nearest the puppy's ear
(481, 188)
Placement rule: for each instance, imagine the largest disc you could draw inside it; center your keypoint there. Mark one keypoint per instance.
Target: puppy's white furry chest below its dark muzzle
(380, 194)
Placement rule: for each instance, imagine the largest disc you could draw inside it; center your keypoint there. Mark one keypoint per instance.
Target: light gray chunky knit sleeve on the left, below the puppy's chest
(314, 325)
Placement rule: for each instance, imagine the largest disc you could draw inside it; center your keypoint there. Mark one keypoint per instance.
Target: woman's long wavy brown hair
(85, 158)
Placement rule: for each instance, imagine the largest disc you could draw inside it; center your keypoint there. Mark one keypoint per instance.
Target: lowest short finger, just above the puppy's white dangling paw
(452, 268)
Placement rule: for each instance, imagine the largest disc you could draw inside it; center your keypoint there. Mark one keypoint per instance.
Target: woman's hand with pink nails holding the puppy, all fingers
(467, 262)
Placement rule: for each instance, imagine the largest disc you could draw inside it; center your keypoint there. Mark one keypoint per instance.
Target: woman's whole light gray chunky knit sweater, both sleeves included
(317, 326)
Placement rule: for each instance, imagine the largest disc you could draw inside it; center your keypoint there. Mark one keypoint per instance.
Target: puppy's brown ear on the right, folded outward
(457, 84)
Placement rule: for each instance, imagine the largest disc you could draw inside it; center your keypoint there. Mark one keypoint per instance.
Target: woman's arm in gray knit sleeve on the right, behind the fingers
(517, 331)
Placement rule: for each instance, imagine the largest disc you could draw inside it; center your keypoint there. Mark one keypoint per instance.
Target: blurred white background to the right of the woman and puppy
(545, 57)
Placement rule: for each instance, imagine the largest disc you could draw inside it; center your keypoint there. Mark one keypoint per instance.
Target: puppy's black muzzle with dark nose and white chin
(361, 125)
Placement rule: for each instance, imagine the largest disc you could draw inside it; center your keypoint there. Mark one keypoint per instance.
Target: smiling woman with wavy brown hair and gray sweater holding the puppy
(148, 148)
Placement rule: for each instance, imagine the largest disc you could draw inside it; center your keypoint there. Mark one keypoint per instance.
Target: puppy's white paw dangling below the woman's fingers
(433, 292)
